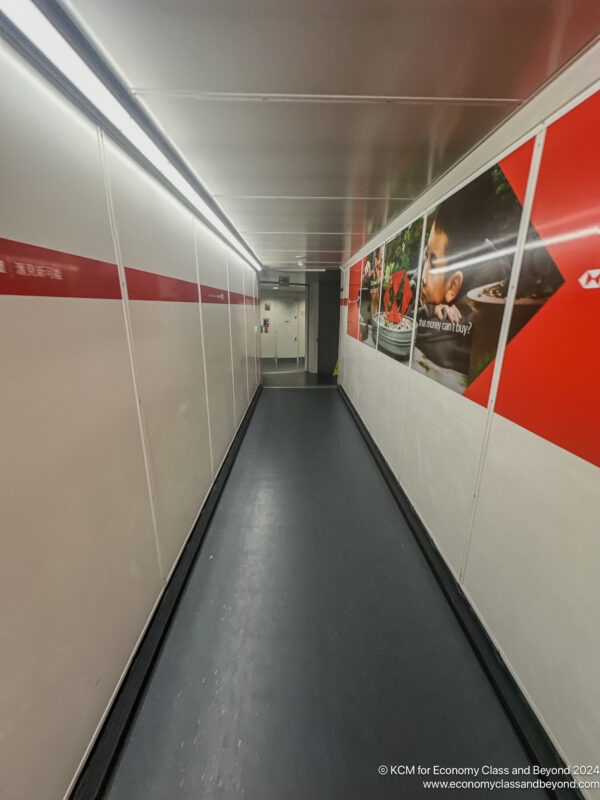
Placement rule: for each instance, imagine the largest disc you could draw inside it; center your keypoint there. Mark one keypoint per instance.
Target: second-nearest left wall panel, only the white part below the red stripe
(171, 384)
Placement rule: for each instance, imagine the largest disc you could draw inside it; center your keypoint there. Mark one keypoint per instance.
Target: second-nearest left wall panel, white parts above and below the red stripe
(157, 235)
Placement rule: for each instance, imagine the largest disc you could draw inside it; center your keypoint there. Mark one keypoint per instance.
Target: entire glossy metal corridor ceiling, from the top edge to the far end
(314, 122)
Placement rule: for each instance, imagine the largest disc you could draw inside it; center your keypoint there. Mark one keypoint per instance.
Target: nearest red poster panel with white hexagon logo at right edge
(550, 382)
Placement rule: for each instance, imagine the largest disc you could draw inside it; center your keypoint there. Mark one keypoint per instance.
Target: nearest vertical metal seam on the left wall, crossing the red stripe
(128, 329)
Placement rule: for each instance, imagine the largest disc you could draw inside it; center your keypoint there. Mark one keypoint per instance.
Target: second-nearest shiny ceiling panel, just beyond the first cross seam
(351, 150)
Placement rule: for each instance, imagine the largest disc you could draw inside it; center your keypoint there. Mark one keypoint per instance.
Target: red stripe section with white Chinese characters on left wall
(26, 269)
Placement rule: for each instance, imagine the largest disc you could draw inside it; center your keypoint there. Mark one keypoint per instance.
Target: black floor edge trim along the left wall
(97, 770)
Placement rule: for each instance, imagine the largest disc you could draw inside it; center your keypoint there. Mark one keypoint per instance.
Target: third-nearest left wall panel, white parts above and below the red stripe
(212, 271)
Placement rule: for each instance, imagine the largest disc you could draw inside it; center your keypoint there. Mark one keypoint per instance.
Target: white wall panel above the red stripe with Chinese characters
(52, 195)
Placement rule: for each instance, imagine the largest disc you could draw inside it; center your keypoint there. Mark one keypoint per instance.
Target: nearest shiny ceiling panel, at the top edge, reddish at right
(477, 48)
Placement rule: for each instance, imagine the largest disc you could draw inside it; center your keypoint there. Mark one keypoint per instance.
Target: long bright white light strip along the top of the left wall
(58, 61)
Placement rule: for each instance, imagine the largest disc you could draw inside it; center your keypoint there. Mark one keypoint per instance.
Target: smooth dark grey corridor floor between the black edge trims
(312, 643)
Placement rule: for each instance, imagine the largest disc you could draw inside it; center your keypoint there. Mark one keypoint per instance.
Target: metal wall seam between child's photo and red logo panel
(534, 169)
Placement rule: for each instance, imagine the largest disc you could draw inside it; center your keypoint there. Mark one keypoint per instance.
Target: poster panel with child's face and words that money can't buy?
(470, 246)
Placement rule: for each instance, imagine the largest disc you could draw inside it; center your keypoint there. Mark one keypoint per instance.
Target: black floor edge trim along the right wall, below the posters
(529, 729)
